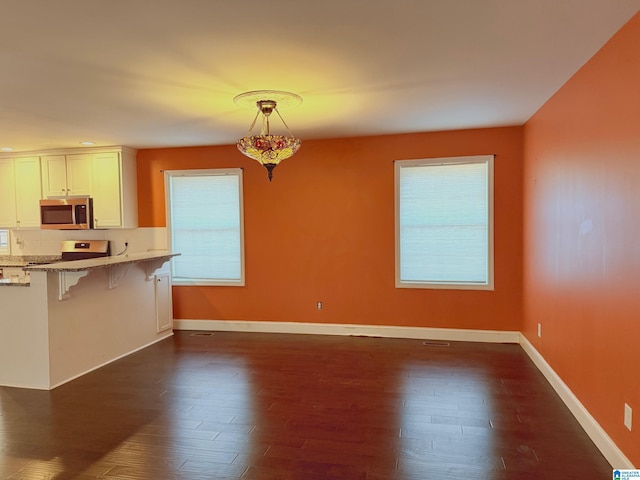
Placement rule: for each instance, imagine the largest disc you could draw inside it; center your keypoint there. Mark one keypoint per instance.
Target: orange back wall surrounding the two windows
(324, 230)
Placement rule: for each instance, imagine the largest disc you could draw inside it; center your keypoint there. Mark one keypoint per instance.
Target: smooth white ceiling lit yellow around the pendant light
(156, 73)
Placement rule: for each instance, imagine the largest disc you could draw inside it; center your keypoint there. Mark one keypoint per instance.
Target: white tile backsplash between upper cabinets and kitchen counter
(47, 242)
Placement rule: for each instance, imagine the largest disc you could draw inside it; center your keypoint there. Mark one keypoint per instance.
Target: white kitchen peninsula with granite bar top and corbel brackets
(75, 316)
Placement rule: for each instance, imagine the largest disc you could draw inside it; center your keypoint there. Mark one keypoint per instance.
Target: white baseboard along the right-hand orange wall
(597, 434)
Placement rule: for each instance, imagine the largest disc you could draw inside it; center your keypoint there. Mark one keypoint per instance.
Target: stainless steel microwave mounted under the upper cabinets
(72, 213)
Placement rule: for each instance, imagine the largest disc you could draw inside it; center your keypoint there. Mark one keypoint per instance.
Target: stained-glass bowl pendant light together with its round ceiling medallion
(266, 148)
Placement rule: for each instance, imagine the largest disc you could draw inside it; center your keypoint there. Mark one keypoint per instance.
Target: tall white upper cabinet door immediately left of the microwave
(28, 191)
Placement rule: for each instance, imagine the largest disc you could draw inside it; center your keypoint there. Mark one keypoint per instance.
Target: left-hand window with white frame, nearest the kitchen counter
(205, 224)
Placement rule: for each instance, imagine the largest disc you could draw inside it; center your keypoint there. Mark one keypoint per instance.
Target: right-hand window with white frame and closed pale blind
(444, 223)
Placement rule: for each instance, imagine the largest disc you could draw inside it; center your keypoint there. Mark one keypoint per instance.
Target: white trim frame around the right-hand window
(489, 285)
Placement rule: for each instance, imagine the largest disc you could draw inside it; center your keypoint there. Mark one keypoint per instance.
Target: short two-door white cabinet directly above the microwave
(66, 175)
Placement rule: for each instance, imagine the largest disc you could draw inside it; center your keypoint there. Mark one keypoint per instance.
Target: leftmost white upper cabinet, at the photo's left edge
(20, 192)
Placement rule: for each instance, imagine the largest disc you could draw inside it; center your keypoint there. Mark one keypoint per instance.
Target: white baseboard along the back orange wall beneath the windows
(422, 333)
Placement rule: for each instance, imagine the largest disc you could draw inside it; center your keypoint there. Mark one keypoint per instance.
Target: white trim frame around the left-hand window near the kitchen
(205, 172)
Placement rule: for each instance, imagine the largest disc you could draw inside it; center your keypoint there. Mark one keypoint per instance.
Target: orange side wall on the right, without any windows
(582, 234)
